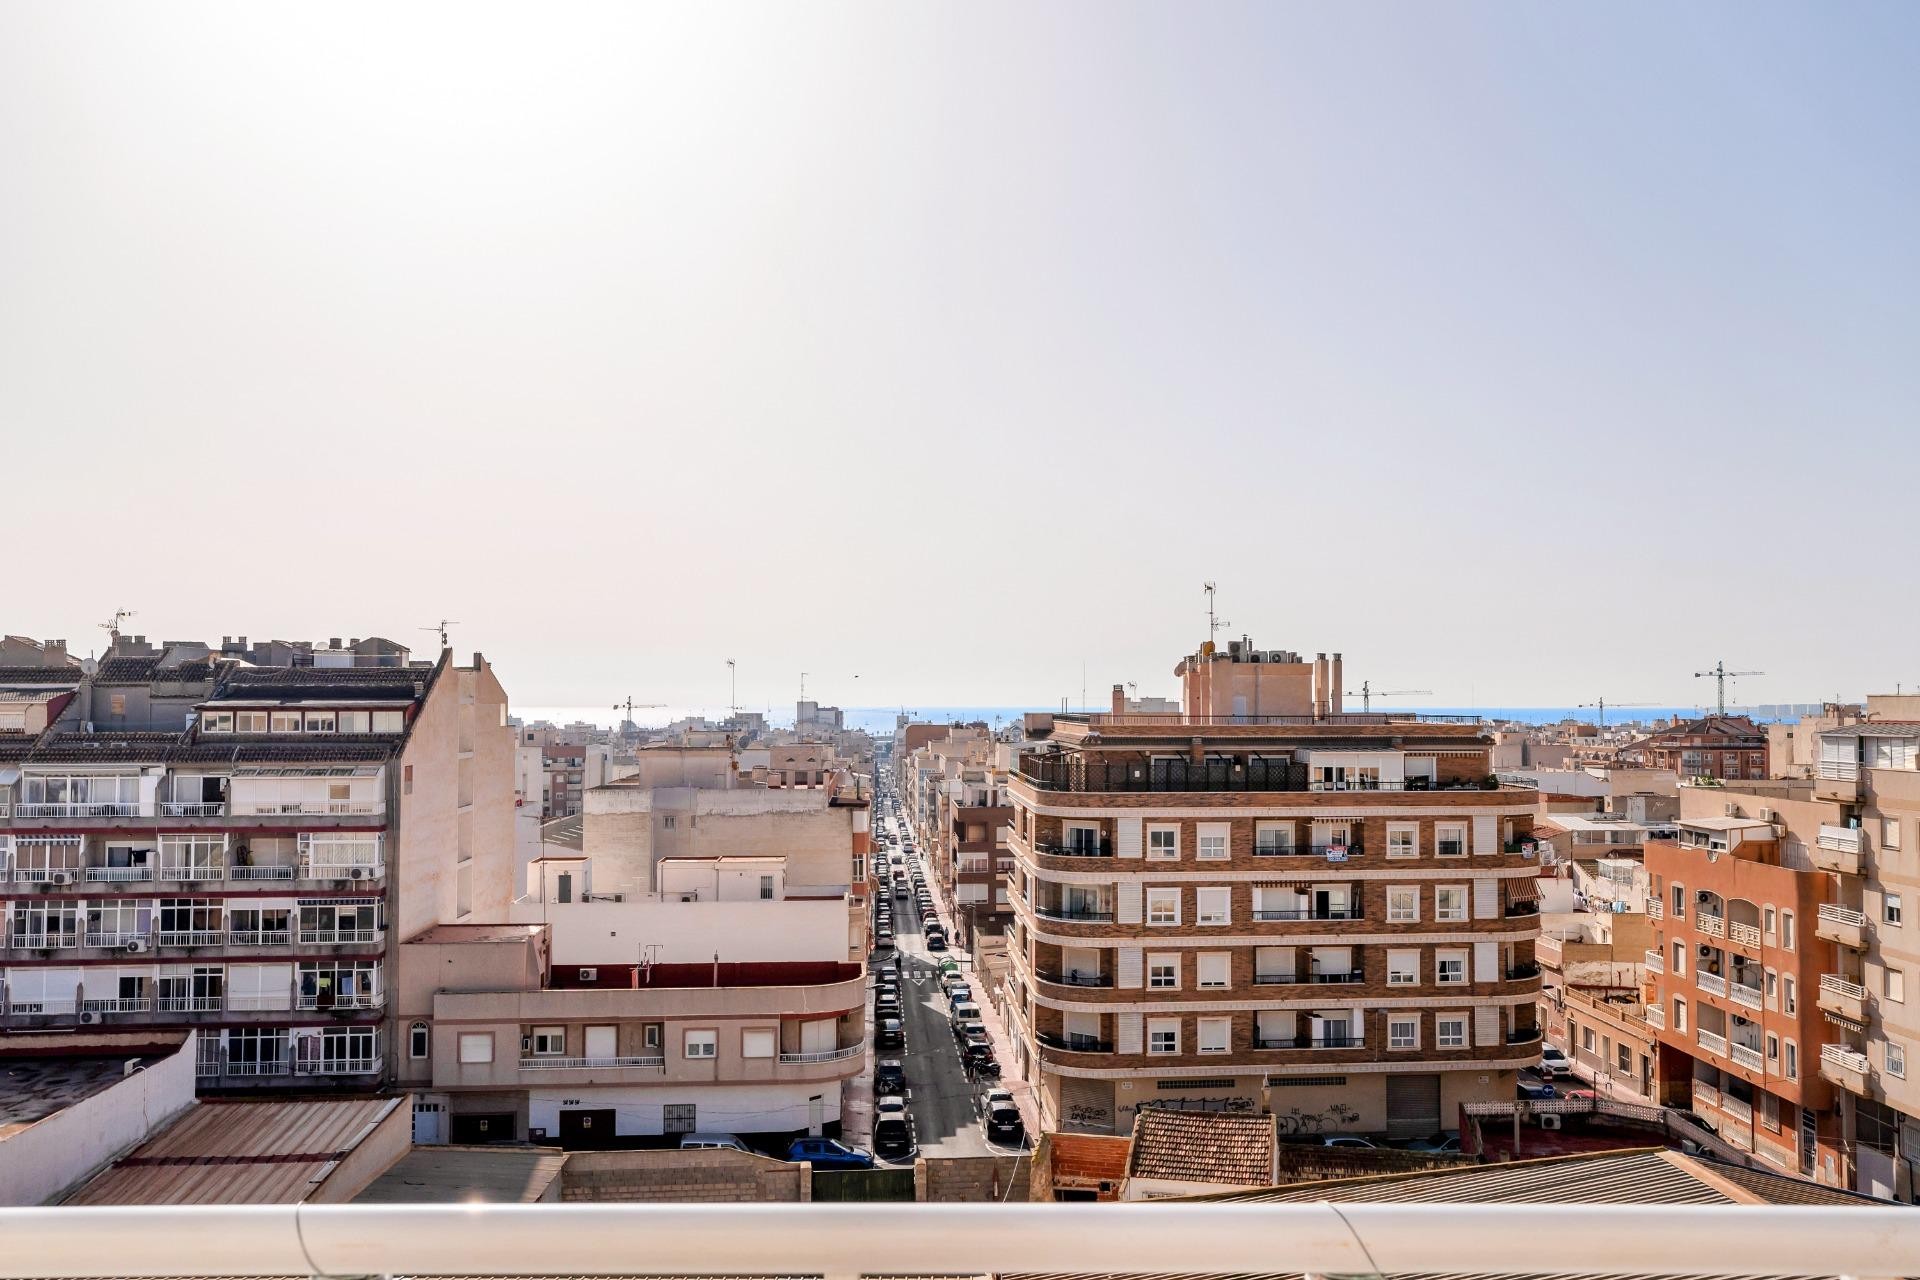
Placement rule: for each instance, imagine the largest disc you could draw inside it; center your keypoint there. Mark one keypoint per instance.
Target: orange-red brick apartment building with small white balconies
(1740, 974)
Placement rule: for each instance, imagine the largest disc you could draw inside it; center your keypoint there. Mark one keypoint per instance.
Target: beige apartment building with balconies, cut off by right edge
(1869, 772)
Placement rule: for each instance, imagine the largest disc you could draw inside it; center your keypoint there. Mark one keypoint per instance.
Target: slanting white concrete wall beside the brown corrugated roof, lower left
(64, 1149)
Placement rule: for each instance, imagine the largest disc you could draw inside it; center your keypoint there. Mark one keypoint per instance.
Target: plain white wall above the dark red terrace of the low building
(612, 934)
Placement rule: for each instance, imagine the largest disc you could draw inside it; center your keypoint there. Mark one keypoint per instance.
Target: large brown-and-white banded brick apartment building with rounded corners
(1270, 905)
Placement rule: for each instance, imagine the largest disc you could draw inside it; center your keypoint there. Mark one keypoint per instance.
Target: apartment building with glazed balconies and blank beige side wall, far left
(193, 841)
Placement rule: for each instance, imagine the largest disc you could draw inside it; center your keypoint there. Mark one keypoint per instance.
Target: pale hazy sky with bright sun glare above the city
(1525, 354)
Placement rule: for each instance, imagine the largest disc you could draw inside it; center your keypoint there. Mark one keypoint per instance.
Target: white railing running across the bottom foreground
(844, 1241)
